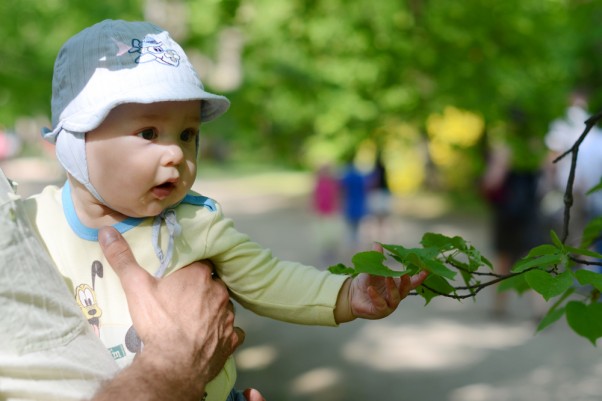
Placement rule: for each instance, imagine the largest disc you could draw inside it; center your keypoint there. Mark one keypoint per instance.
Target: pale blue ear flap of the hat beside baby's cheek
(71, 153)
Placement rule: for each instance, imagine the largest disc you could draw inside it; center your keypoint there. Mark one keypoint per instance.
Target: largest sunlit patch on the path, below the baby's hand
(434, 345)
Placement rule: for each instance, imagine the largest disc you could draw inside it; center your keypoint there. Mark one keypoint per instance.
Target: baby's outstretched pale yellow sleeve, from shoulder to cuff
(270, 287)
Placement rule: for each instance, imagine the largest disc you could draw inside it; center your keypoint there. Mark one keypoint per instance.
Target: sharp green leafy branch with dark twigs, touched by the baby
(556, 271)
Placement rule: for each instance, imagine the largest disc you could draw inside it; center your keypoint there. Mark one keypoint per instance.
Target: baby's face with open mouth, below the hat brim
(142, 158)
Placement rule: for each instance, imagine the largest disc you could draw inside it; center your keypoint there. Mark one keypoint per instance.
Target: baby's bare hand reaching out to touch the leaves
(373, 297)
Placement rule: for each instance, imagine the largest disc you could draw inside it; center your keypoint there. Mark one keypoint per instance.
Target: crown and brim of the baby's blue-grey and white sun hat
(116, 62)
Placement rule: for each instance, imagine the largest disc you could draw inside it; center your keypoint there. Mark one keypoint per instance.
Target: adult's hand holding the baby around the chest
(188, 349)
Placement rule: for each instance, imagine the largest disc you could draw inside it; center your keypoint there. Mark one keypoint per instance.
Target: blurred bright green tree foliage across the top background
(336, 72)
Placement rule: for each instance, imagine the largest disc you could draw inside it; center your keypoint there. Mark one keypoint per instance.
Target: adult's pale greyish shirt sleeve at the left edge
(47, 351)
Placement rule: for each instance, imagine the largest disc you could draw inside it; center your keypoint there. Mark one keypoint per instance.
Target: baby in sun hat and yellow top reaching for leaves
(126, 110)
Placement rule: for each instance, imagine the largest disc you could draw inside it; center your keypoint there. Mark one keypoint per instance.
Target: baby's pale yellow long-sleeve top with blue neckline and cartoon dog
(270, 287)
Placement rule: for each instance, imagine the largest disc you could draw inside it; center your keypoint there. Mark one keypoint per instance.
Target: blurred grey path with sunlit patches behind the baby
(446, 351)
